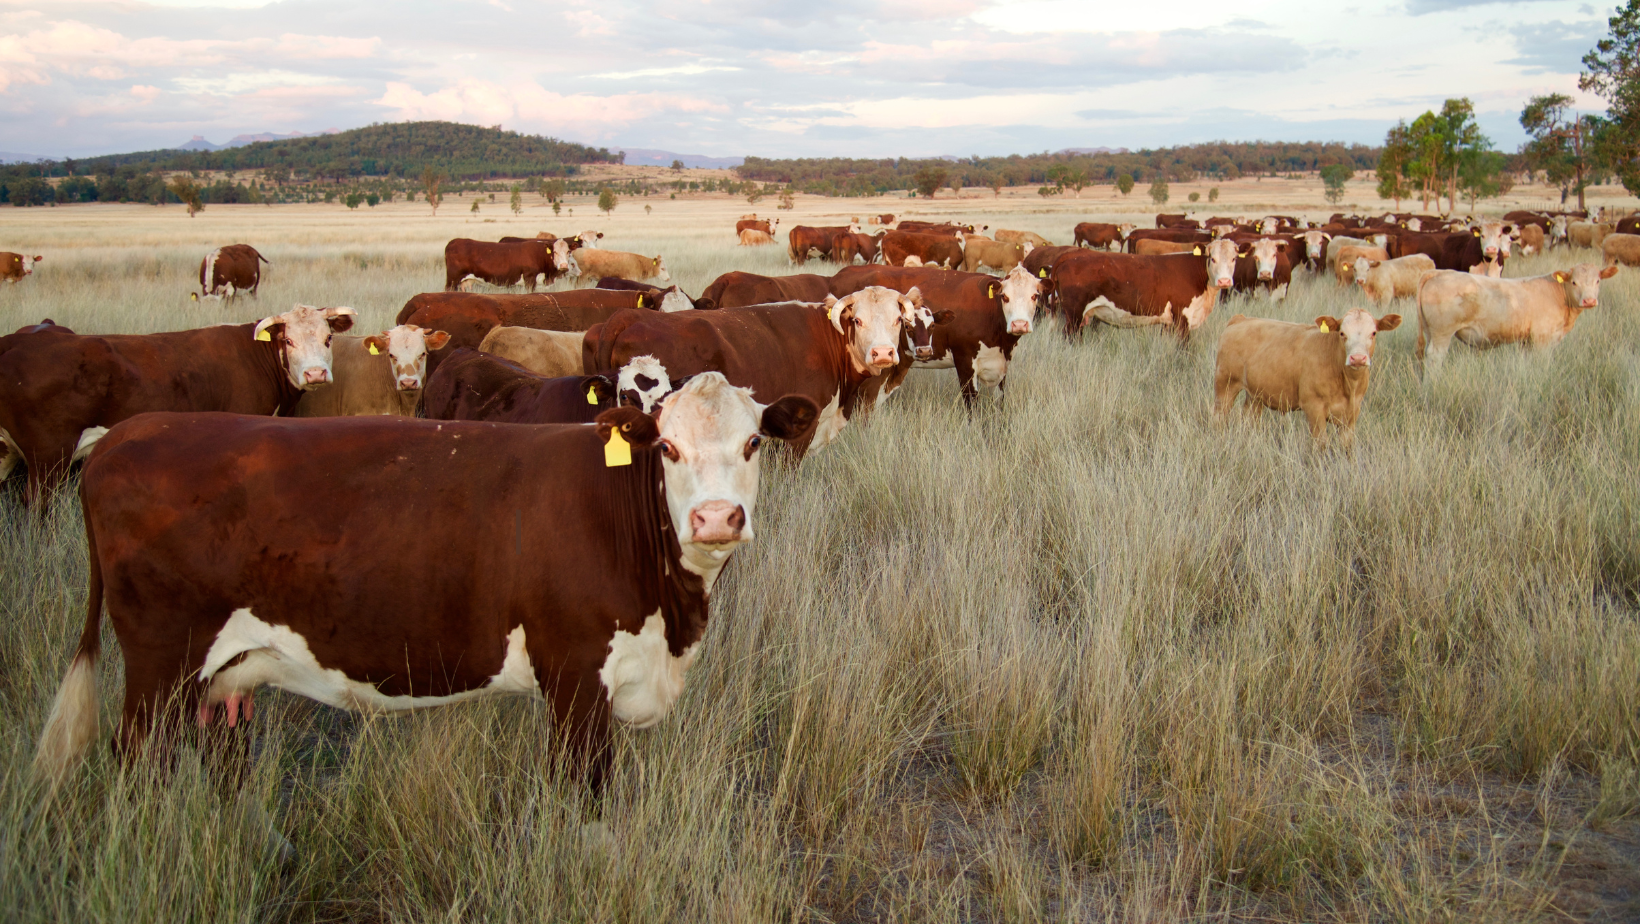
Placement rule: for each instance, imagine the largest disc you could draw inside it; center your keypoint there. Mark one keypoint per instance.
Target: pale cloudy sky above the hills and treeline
(780, 78)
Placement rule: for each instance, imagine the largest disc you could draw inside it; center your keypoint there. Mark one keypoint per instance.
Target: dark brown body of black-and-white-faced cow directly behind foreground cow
(480, 387)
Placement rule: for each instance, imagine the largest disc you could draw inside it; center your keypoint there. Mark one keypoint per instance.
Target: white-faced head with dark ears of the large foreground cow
(709, 434)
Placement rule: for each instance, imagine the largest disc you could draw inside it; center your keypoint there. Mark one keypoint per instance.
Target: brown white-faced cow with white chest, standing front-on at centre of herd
(988, 318)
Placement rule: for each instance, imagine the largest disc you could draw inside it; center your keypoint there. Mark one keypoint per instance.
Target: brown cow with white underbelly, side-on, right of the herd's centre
(1141, 291)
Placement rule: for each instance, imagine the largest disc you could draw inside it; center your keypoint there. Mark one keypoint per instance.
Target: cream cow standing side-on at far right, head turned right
(1483, 311)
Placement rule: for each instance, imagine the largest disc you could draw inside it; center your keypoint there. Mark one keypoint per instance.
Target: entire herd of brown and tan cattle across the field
(534, 493)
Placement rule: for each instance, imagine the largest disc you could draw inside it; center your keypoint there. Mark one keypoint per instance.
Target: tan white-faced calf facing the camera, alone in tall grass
(1319, 368)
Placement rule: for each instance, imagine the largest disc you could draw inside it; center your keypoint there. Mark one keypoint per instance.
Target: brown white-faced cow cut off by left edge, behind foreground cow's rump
(58, 395)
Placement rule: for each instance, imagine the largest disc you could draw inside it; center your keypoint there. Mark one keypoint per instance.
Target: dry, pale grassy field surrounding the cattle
(1078, 656)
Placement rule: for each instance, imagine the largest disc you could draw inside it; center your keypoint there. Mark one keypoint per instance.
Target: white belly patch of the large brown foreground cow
(280, 657)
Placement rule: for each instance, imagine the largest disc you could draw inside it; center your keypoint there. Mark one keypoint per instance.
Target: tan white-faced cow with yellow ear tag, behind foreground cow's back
(375, 375)
